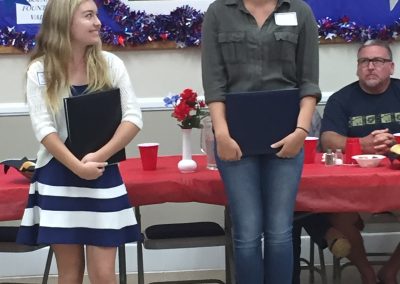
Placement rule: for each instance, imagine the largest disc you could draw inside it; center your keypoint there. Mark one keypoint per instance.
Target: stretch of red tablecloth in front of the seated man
(350, 188)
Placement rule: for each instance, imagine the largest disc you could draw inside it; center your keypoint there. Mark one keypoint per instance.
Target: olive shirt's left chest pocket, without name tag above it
(233, 47)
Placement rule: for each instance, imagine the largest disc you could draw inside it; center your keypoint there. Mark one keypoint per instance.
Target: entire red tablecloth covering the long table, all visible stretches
(322, 189)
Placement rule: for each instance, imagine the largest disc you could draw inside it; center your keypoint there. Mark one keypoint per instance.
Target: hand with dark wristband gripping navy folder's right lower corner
(291, 144)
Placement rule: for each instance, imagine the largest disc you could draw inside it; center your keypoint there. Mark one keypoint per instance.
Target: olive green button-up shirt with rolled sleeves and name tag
(238, 56)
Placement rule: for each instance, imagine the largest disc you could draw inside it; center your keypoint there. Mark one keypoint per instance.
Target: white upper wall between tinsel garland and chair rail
(156, 72)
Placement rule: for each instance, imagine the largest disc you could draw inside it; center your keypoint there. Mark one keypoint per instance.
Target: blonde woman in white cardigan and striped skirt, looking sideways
(76, 204)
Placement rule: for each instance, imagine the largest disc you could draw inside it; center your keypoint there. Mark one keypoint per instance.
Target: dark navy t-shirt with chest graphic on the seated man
(352, 112)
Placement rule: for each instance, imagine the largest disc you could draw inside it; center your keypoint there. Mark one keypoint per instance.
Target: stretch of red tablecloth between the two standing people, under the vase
(167, 184)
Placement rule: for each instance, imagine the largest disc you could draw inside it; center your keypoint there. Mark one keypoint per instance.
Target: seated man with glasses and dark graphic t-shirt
(368, 109)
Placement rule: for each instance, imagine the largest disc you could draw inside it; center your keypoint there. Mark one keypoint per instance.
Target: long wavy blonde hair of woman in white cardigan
(53, 46)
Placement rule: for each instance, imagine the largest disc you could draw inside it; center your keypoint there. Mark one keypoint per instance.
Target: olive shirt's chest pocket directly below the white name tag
(284, 46)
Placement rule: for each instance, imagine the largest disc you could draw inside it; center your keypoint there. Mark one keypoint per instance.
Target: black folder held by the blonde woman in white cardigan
(92, 120)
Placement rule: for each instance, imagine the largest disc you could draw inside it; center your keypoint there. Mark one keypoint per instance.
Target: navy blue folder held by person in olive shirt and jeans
(260, 118)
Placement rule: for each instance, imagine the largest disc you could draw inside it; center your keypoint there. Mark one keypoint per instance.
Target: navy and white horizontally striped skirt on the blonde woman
(65, 209)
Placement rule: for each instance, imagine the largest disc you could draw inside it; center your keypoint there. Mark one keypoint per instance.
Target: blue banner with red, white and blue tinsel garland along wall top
(350, 20)
